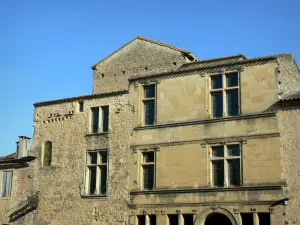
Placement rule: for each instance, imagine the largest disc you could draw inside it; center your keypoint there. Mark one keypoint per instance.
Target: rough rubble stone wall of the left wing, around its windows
(60, 186)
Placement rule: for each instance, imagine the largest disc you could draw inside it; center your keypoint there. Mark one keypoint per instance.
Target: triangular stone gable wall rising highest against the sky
(138, 58)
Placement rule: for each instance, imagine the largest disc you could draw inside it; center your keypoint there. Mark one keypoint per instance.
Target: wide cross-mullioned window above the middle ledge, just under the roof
(224, 95)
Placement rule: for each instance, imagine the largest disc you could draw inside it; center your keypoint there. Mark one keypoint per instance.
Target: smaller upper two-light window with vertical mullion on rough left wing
(103, 117)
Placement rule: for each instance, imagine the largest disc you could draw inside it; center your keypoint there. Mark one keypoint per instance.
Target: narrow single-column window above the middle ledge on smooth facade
(149, 102)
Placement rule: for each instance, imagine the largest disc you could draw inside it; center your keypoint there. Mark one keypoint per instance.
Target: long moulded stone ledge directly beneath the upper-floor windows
(205, 121)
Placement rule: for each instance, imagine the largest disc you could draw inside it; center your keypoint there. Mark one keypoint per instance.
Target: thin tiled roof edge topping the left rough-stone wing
(83, 97)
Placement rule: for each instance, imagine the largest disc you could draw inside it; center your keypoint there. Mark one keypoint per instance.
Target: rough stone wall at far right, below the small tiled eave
(289, 126)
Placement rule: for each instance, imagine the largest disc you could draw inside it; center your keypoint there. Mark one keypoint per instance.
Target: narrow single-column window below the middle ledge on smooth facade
(148, 170)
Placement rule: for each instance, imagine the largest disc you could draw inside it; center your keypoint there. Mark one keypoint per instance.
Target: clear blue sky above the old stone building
(48, 46)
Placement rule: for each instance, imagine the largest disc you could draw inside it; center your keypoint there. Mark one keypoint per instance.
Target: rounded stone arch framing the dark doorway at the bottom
(200, 219)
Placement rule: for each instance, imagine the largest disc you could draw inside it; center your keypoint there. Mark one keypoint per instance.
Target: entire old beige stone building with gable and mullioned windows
(169, 139)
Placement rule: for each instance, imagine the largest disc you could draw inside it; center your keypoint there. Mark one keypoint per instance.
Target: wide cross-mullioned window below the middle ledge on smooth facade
(226, 165)
